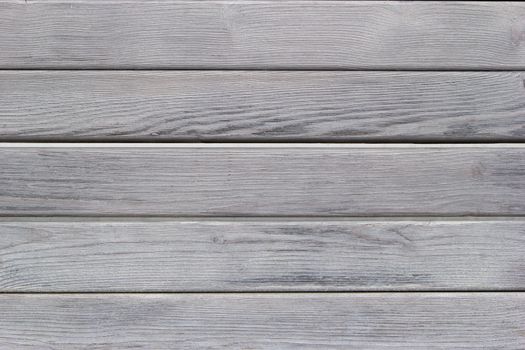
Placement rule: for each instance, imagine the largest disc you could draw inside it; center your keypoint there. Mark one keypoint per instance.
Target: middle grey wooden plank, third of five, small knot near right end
(260, 180)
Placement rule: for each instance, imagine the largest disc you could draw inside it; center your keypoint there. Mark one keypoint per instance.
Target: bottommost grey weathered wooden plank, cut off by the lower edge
(264, 321)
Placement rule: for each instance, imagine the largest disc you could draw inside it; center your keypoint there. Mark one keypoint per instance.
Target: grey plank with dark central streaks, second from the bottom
(226, 256)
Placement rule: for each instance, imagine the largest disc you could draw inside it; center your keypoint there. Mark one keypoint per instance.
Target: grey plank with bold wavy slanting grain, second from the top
(214, 105)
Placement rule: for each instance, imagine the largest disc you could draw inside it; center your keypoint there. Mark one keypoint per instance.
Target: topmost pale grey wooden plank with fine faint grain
(262, 34)
